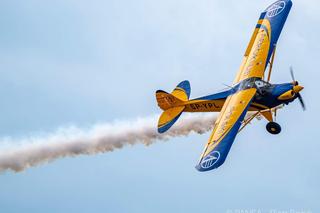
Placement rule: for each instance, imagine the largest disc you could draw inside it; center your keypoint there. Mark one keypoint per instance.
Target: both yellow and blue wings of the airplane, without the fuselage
(255, 61)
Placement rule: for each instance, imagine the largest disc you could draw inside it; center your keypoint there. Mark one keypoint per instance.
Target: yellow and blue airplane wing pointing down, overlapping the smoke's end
(226, 129)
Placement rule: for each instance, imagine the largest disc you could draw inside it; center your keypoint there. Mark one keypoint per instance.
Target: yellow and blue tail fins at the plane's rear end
(172, 104)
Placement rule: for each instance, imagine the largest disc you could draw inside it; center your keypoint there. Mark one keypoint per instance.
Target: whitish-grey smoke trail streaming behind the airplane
(70, 142)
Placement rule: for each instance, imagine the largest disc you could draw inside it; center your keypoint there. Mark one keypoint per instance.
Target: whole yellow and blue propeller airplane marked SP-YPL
(251, 91)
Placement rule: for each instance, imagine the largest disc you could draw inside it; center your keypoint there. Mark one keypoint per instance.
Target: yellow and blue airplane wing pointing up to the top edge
(264, 40)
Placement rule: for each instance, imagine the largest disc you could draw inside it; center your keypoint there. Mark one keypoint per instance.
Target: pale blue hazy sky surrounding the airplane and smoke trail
(79, 62)
